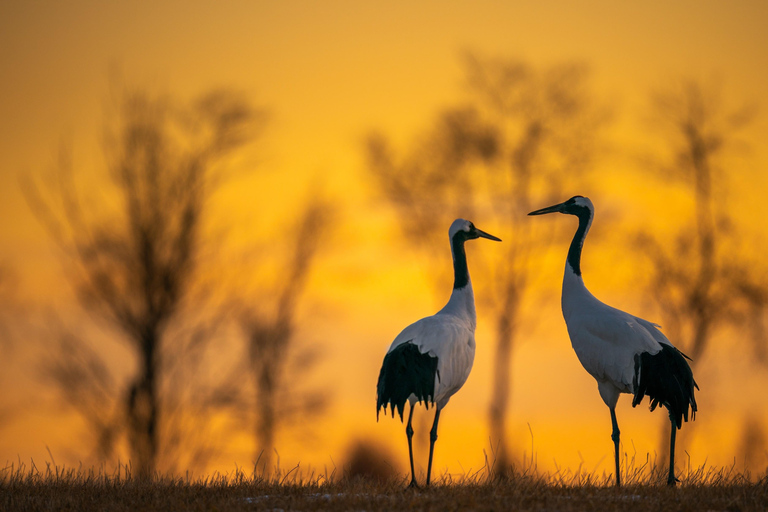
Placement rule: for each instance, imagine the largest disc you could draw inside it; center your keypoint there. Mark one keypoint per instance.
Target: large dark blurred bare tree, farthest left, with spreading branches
(134, 268)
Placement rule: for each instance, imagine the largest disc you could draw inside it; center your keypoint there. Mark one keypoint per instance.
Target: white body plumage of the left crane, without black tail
(448, 335)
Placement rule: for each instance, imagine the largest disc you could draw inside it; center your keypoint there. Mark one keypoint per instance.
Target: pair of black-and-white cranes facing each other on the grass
(430, 360)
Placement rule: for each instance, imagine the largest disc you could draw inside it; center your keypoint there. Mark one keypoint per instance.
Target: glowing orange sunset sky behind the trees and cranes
(329, 72)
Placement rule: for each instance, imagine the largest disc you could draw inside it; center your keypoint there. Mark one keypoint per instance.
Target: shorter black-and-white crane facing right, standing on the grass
(429, 361)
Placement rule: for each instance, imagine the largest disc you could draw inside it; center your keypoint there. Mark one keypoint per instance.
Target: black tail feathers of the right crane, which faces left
(667, 379)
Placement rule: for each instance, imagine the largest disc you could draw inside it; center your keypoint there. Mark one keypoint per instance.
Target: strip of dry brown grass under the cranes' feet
(25, 488)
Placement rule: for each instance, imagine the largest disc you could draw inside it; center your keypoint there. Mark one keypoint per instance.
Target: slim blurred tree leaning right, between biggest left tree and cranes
(274, 361)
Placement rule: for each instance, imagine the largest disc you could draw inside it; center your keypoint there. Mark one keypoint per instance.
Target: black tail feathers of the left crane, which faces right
(405, 371)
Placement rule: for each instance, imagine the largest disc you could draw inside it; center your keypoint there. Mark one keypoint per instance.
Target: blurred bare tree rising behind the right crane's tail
(700, 281)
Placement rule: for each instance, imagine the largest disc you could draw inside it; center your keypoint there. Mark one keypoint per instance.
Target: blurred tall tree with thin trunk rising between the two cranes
(523, 137)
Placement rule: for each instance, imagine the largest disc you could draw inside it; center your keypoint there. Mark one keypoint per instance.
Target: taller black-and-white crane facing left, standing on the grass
(624, 353)
